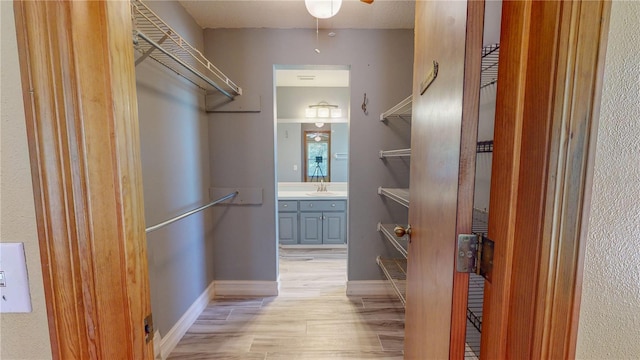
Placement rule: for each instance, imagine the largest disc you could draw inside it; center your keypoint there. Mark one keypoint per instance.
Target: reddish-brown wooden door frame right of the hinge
(549, 87)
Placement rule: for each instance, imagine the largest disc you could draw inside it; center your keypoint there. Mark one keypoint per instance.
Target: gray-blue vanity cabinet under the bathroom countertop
(318, 221)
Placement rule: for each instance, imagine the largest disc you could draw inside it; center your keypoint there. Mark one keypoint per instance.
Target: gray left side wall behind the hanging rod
(176, 178)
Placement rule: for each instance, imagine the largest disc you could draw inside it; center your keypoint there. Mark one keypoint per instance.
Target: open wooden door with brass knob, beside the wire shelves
(443, 137)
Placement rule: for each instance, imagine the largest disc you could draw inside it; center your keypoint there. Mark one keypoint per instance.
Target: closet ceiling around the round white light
(290, 14)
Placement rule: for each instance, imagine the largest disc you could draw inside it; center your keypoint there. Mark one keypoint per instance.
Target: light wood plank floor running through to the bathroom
(312, 318)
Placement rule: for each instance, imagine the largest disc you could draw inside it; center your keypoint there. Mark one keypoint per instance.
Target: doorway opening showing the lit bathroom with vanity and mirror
(311, 120)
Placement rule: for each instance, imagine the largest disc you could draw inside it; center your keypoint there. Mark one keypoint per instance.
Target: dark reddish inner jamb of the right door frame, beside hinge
(514, 46)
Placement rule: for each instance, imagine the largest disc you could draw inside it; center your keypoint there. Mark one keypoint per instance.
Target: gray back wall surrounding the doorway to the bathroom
(242, 144)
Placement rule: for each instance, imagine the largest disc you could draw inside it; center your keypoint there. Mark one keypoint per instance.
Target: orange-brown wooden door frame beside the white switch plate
(78, 83)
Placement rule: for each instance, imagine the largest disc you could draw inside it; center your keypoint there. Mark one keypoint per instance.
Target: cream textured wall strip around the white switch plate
(18, 332)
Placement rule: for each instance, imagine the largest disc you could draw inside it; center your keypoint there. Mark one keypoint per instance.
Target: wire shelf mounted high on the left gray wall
(154, 39)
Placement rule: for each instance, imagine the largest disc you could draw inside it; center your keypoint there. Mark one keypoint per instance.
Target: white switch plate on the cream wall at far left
(14, 283)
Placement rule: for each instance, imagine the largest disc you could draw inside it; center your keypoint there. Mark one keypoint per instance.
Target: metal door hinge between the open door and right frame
(475, 255)
